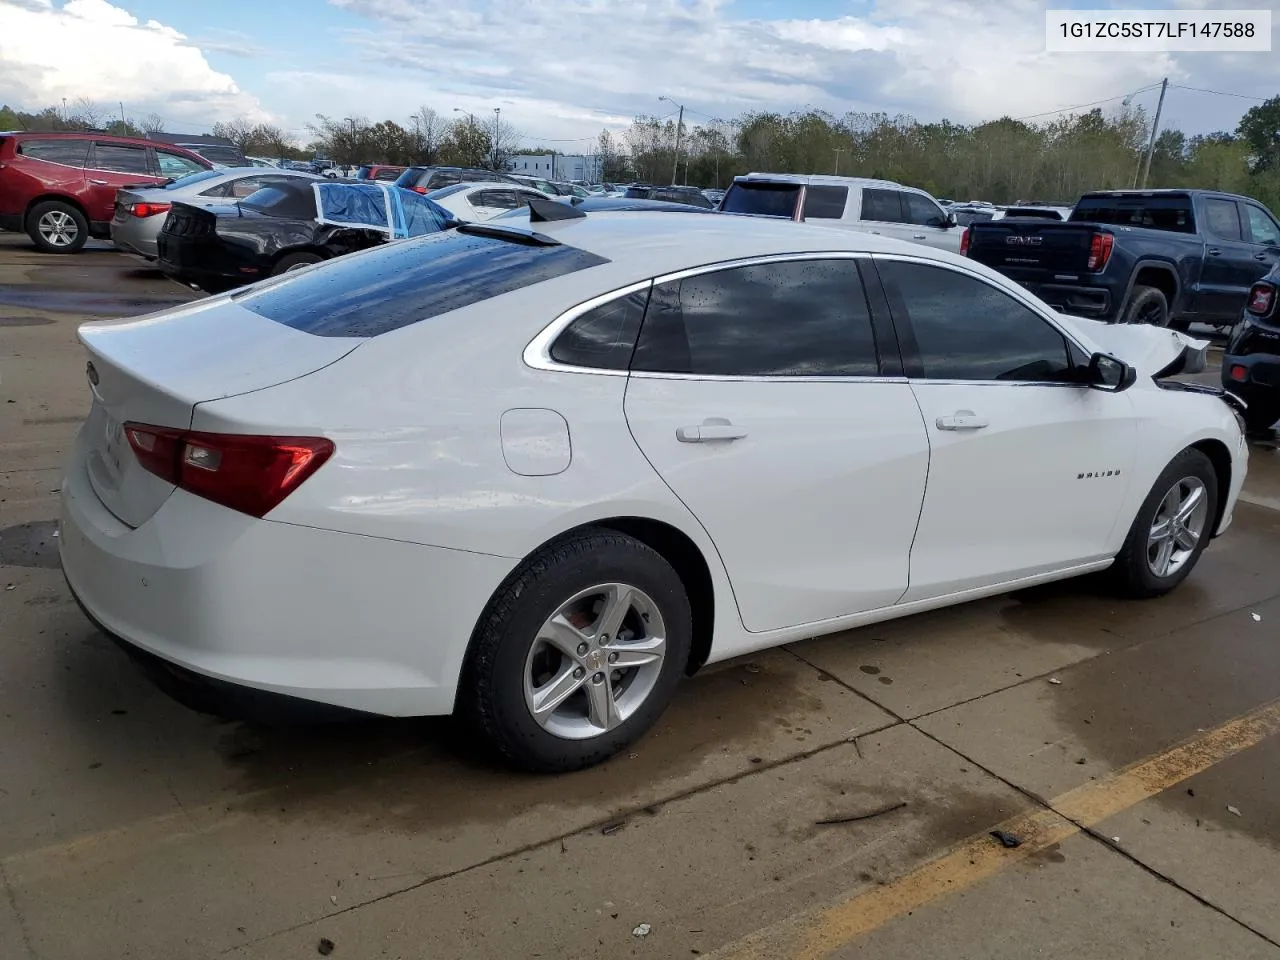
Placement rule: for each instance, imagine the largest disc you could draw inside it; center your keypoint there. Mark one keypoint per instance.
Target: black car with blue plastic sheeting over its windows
(286, 227)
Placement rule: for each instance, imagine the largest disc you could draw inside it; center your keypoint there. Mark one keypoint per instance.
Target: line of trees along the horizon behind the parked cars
(1002, 161)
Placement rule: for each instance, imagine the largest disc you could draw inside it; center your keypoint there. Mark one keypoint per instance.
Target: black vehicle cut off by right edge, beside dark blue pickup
(1251, 363)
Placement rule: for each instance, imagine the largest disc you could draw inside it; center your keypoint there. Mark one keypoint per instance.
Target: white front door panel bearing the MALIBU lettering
(1023, 478)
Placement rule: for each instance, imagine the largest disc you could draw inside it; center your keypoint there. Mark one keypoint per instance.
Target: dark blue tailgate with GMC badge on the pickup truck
(1032, 246)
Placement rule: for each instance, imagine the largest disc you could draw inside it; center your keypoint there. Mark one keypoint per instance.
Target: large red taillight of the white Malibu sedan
(250, 474)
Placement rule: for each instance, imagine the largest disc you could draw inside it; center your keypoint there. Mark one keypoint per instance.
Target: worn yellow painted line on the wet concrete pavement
(817, 934)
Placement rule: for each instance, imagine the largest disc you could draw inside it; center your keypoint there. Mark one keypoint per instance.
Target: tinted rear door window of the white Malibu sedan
(806, 318)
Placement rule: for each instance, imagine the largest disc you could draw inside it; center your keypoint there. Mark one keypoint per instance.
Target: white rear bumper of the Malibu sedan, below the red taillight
(358, 623)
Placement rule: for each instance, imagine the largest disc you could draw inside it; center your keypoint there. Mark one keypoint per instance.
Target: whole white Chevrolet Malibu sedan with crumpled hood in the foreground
(540, 473)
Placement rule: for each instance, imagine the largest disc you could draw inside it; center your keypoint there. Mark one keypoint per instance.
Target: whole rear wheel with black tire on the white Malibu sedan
(578, 653)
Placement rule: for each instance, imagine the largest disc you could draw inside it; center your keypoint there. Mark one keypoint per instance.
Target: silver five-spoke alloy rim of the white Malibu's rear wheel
(595, 661)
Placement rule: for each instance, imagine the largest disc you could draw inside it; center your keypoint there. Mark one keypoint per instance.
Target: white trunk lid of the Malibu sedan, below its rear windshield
(156, 369)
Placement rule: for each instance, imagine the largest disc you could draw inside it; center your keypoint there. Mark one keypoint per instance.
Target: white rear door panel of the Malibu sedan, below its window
(810, 490)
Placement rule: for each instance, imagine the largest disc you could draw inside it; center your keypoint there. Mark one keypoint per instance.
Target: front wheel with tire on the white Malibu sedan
(1172, 529)
